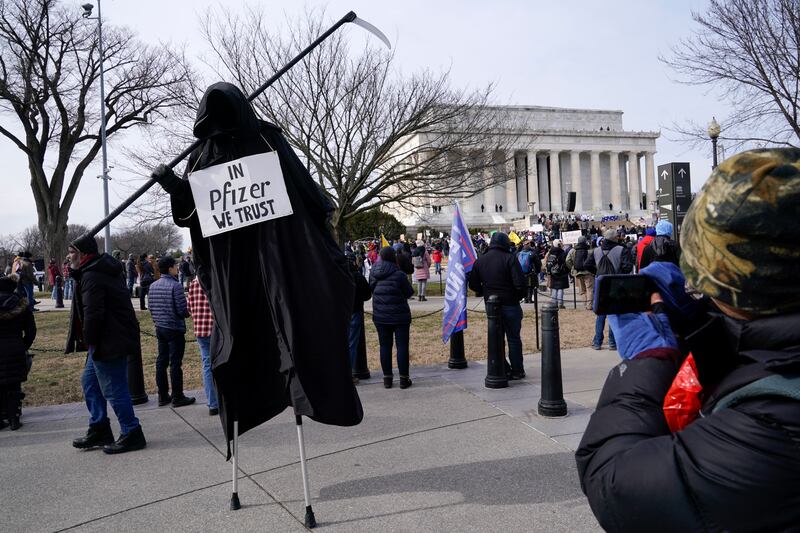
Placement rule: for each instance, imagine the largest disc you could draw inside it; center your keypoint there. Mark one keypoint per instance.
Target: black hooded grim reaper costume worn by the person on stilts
(281, 315)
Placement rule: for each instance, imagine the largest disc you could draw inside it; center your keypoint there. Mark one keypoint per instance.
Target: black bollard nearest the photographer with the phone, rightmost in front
(552, 402)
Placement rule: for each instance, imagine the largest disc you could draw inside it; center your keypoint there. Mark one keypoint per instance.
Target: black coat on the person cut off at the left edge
(17, 331)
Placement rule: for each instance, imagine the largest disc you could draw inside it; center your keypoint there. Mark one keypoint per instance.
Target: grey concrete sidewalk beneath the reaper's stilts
(445, 455)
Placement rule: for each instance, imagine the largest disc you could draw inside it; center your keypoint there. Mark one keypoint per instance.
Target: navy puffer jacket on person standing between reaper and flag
(390, 293)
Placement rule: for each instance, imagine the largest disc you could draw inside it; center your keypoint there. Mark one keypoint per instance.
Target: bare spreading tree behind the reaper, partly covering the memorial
(353, 118)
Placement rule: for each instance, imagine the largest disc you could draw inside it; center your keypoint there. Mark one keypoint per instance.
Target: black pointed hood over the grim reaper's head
(225, 110)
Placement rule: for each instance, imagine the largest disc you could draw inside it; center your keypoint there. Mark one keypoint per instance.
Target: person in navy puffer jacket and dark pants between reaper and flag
(391, 314)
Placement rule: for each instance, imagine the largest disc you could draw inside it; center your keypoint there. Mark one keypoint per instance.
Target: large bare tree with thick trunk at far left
(49, 71)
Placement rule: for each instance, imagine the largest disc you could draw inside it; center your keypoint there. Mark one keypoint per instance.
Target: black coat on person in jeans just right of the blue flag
(498, 272)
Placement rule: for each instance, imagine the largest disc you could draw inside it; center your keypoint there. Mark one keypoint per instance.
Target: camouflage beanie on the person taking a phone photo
(740, 240)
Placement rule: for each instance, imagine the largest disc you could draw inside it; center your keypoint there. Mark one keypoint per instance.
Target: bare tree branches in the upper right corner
(750, 51)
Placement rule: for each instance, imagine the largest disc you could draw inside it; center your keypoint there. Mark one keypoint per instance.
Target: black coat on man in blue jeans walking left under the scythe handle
(102, 314)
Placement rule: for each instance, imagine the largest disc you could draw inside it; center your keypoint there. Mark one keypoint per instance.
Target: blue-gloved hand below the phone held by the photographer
(638, 332)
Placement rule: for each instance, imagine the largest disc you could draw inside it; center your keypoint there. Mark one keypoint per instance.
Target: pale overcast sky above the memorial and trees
(579, 53)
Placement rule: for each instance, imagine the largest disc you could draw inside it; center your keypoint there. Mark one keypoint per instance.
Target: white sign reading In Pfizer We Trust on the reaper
(240, 193)
